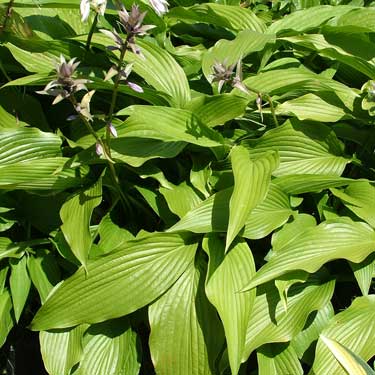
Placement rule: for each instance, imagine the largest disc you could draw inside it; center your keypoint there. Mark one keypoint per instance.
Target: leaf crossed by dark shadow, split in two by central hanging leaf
(212, 214)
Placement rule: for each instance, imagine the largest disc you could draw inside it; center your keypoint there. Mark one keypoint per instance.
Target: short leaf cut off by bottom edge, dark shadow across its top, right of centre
(276, 359)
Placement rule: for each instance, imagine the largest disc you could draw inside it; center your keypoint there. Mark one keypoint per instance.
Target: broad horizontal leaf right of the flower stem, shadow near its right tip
(167, 125)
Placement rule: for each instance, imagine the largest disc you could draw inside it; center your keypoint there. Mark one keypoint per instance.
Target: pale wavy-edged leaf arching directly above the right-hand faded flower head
(230, 51)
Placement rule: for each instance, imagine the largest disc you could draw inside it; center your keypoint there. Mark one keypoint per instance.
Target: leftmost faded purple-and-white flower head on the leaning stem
(64, 85)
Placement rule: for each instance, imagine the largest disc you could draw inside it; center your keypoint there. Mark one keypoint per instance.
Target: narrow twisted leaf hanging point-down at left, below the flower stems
(76, 214)
